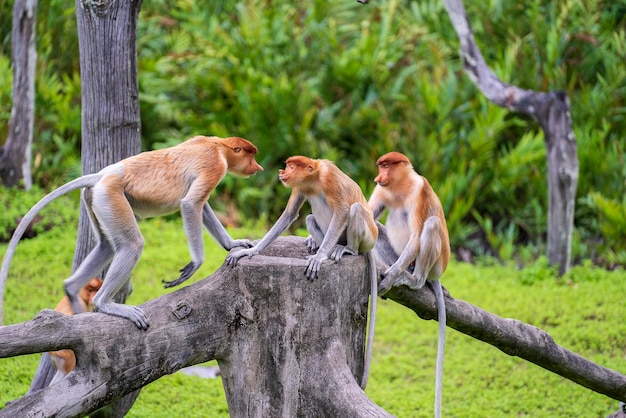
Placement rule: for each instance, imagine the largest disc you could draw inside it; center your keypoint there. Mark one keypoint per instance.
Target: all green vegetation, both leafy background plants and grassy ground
(349, 82)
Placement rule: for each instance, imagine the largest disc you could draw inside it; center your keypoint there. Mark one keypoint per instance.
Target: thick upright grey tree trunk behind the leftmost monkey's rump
(111, 122)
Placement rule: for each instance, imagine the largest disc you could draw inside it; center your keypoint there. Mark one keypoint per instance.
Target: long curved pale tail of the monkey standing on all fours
(84, 181)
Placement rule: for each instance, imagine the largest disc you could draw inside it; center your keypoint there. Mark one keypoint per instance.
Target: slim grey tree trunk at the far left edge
(15, 155)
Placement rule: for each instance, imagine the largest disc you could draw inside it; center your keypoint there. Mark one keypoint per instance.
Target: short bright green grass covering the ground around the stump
(583, 312)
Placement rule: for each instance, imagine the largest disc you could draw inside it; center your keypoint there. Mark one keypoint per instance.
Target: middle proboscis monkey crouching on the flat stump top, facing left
(341, 223)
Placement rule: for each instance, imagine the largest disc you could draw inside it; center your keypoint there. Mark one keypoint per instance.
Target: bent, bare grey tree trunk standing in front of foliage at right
(552, 111)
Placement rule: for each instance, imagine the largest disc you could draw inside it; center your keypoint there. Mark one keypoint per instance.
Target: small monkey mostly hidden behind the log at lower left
(65, 360)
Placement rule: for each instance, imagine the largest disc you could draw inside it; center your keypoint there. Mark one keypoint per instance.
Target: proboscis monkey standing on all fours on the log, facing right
(148, 184)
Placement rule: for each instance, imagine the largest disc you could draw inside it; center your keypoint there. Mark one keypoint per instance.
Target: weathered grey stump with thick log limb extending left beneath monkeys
(286, 346)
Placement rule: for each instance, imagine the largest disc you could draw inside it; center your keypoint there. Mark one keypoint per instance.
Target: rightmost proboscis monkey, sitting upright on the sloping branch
(414, 241)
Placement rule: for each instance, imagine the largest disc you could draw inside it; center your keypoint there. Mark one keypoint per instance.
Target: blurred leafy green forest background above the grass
(349, 82)
